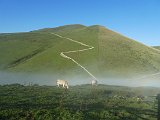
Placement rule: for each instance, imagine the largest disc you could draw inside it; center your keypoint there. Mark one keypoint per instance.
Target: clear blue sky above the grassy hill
(137, 19)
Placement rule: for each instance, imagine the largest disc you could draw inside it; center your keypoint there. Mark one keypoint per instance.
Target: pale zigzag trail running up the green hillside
(74, 51)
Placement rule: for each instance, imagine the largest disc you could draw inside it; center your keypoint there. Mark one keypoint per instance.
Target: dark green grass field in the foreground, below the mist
(83, 102)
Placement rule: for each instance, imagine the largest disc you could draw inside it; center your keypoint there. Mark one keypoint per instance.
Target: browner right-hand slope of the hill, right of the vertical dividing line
(120, 53)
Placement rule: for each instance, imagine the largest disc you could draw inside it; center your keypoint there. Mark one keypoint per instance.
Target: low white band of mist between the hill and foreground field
(50, 79)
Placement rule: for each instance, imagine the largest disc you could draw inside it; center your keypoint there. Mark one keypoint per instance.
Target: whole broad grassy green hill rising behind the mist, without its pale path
(113, 55)
